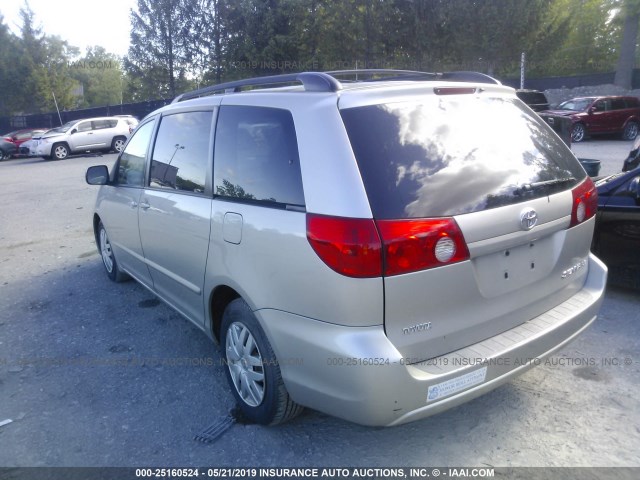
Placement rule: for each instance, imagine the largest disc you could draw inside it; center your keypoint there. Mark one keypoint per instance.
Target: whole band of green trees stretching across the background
(177, 45)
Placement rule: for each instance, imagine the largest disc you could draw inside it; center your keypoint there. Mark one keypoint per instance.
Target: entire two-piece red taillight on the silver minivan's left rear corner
(353, 246)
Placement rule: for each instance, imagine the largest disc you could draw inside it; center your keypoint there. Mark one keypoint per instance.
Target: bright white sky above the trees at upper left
(81, 23)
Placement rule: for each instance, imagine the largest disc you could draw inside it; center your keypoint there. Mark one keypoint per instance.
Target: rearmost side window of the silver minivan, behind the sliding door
(256, 156)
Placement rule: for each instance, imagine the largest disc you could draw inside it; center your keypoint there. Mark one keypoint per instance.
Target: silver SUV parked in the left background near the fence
(103, 133)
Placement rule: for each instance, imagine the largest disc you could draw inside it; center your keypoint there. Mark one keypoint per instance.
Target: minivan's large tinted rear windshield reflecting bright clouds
(450, 155)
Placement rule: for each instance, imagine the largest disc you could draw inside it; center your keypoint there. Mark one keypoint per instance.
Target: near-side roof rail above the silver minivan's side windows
(312, 82)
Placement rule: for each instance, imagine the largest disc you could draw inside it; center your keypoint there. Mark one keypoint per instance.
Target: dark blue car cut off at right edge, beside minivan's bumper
(616, 238)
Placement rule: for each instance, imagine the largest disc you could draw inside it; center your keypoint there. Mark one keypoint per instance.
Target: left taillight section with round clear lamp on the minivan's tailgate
(411, 245)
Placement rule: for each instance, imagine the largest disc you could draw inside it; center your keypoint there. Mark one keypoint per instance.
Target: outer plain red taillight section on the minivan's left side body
(350, 246)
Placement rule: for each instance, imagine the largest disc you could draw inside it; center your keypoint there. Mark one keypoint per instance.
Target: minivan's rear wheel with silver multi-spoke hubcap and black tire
(252, 369)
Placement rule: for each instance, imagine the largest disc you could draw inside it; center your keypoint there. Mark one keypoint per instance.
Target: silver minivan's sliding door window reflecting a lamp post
(181, 153)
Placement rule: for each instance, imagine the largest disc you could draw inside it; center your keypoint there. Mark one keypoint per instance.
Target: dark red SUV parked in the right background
(598, 115)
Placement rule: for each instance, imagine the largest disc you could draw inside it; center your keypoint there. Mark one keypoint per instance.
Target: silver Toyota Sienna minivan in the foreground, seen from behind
(378, 250)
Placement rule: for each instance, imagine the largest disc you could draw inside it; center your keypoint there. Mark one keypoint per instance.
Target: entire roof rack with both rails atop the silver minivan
(328, 81)
